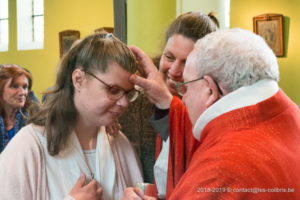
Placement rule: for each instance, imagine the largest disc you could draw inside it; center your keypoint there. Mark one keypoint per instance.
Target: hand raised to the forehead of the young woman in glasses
(151, 81)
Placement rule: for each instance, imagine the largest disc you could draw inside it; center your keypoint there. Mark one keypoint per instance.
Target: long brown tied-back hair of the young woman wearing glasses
(58, 113)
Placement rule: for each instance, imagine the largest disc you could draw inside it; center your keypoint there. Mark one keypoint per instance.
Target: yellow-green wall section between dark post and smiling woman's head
(147, 21)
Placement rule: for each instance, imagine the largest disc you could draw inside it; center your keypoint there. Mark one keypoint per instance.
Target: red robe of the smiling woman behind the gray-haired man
(182, 144)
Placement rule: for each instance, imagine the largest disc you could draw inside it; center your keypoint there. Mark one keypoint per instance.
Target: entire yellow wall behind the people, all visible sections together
(147, 22)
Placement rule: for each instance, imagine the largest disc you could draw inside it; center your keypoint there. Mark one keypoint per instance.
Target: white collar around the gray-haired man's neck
(242, 97)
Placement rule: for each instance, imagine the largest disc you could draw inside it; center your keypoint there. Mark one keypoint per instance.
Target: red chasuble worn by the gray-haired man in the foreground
(248, 153)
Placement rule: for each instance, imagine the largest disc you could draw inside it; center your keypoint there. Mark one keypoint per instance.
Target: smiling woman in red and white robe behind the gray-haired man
(175, 143)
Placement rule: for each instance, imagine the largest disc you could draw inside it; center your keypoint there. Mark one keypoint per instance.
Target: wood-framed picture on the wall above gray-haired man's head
(269, 26)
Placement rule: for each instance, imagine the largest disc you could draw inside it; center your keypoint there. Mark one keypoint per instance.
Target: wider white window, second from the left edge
(25, 29)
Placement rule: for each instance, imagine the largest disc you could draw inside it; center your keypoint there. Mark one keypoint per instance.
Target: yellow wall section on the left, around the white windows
(60, 15)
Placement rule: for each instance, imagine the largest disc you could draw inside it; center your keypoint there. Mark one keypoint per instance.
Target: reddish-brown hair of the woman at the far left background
(12, 71)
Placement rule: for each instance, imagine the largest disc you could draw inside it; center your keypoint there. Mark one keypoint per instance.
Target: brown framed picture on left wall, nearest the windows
(66, 39)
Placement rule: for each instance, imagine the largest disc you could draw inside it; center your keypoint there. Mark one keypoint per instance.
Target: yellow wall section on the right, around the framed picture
(241, 14)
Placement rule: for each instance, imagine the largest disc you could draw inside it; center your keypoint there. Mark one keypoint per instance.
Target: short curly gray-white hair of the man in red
(235, 58)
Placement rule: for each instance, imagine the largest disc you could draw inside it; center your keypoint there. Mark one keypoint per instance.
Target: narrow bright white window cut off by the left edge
(4, 34)
